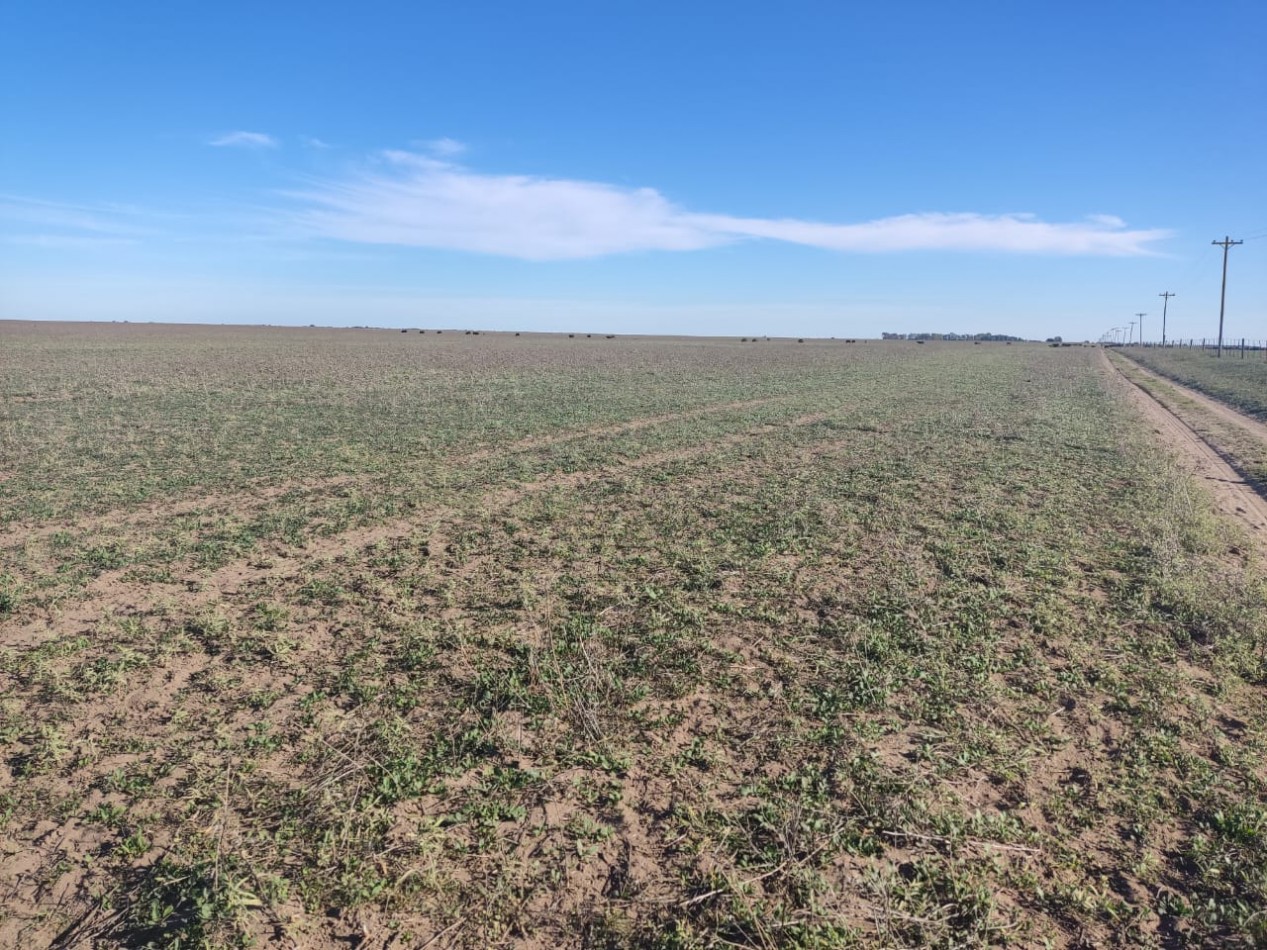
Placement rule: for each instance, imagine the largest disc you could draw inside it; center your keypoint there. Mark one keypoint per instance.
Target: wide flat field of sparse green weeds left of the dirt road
(369, 639)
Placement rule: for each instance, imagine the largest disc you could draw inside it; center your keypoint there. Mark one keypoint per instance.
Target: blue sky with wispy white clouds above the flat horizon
(828, 169)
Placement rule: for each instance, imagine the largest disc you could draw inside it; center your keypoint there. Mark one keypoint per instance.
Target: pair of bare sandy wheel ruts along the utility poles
(1236, 497)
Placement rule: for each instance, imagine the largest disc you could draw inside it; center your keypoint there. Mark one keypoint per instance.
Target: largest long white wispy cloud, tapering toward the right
(421, 201)
